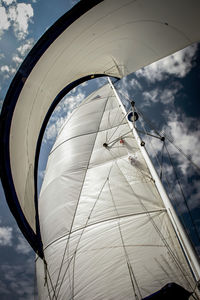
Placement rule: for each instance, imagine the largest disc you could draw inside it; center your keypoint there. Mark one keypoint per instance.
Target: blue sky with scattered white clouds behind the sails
(167, 93)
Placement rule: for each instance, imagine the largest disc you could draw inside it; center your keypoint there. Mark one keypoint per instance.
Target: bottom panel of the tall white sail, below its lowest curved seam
(96, 261)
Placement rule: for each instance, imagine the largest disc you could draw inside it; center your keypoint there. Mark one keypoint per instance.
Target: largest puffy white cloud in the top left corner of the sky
(20, 15)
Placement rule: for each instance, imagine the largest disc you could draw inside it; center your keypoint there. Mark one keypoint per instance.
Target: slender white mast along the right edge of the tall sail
(182, 236)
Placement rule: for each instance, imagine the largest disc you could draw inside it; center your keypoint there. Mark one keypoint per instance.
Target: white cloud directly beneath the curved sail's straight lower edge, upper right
(177, 64)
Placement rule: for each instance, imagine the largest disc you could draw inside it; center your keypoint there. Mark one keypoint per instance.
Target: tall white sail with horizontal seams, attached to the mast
(105, 230)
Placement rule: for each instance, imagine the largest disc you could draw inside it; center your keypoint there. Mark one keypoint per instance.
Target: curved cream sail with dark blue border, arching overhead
(111, 37)
